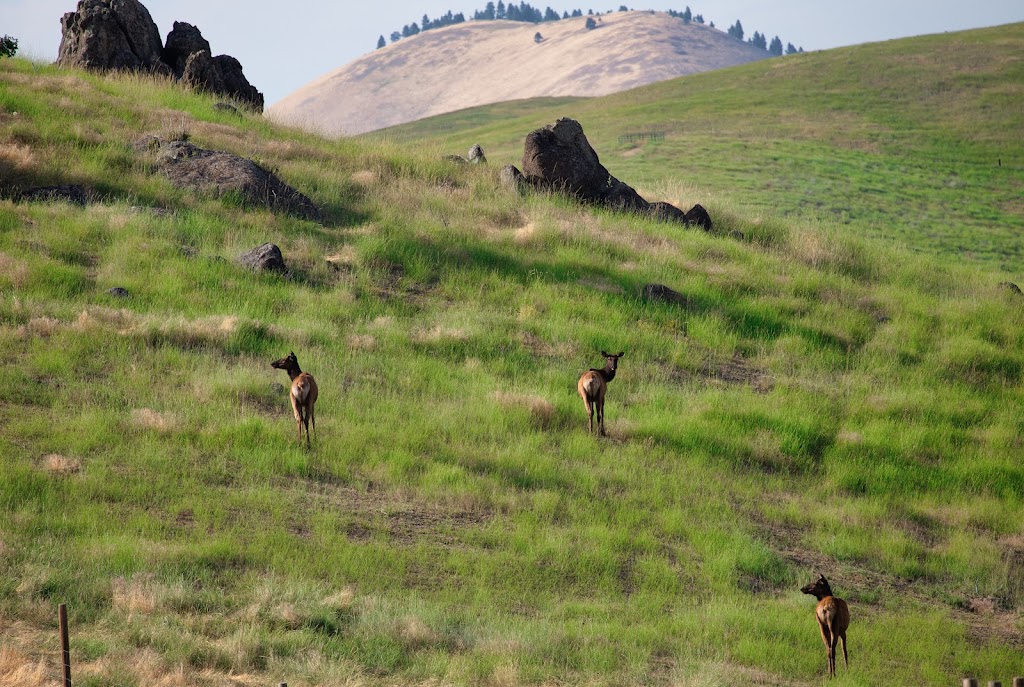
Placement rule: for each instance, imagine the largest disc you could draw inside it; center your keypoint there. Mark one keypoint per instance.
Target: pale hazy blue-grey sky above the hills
(284, 46)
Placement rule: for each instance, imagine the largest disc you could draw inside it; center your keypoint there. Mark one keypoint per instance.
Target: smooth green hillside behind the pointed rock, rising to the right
(915, 141)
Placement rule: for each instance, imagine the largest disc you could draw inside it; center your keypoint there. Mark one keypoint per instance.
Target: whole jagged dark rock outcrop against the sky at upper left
(107, 35)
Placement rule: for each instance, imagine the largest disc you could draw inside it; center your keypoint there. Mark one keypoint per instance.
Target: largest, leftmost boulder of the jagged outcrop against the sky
(111, 35)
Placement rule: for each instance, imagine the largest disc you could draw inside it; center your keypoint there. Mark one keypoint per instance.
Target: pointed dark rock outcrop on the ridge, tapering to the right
(560, 158)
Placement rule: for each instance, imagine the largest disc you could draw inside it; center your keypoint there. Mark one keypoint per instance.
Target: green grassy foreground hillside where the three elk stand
(821, 404)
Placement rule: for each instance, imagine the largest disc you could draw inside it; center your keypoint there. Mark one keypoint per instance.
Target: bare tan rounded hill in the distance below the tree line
(478, 63)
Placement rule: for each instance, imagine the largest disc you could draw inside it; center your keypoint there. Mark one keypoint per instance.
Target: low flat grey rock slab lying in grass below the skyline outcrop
(212, 171)
